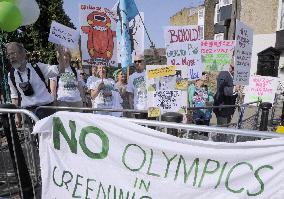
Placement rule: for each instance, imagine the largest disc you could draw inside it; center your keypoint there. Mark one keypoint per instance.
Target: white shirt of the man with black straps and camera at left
(41, 95)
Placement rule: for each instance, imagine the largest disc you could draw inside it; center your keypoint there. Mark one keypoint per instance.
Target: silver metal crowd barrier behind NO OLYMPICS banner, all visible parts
(13, 163)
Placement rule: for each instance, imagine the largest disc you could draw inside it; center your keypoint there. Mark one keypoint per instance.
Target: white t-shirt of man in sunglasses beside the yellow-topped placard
(137, 86)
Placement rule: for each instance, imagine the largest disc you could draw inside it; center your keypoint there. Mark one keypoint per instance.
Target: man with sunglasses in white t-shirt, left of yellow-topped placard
(136, 86)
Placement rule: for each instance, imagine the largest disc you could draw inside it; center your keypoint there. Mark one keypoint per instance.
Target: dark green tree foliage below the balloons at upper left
(35, 36)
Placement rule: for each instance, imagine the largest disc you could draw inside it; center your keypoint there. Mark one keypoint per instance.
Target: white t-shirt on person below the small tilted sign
(68, 86)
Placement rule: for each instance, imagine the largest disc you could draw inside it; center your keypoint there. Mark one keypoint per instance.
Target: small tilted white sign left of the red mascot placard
(63, 35)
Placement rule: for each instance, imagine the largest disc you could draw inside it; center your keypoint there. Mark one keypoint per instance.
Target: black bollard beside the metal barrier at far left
(16, 152)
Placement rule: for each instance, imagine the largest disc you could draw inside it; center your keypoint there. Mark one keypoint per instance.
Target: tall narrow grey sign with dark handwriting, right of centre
(243, 52)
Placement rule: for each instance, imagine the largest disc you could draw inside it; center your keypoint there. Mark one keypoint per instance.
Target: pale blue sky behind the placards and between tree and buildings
(157, 14)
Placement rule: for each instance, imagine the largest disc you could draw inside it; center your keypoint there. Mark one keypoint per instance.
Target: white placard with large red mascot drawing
(98, 35)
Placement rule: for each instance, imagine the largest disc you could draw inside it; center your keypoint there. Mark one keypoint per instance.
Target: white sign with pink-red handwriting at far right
(261, 87)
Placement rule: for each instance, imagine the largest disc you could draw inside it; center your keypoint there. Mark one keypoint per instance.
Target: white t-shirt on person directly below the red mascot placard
(101, 101)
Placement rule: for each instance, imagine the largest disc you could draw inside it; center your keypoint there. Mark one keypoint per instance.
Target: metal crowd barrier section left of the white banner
(19, 168)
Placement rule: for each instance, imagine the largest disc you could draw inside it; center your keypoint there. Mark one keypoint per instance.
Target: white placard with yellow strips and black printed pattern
(167, 88)
